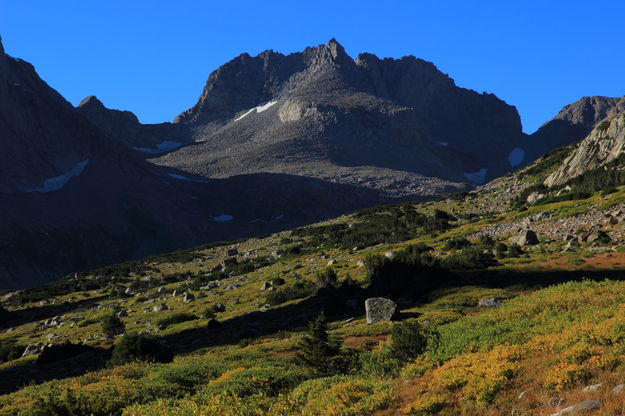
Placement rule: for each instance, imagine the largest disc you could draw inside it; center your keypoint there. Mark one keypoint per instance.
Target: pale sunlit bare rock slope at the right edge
(604, 144)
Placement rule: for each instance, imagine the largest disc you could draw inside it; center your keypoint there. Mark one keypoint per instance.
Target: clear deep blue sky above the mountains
(153, 57)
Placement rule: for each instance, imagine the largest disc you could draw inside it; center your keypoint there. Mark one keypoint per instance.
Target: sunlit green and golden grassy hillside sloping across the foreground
(560, 328)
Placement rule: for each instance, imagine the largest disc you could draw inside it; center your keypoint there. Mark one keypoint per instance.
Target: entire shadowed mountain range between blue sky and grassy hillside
(274, 141)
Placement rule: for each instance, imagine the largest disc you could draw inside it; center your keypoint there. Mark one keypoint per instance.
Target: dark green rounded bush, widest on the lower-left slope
(140, 347)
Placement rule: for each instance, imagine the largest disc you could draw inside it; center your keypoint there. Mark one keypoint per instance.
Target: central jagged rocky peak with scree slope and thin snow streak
(318, 112)
